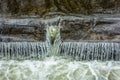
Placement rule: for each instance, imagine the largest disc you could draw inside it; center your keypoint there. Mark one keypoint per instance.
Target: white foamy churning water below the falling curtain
(57, 68)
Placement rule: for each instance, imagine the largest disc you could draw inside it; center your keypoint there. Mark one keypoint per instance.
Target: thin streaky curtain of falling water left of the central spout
(22, 50)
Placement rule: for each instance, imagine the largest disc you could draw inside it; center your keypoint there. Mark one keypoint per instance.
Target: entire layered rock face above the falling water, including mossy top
(80, 19)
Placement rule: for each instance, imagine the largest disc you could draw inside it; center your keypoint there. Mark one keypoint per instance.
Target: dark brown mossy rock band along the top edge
(42, 7)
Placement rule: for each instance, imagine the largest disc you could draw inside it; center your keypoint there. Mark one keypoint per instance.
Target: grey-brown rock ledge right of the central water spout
(94, 29)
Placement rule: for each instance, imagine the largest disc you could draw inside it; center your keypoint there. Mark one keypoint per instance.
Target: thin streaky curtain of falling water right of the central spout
(85, 50)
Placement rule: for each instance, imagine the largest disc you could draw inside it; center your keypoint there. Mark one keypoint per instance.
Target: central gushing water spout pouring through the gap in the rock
(53, 40)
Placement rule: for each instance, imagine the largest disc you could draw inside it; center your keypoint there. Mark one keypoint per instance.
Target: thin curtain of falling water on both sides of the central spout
(86, 50)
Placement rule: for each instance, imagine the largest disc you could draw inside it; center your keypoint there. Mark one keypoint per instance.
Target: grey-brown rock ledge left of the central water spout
(21, 30)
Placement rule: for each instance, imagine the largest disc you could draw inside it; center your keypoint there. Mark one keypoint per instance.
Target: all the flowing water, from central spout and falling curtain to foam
(86, 66)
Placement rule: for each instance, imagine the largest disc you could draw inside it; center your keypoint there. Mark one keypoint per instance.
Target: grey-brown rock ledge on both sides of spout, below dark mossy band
(73, 28)
